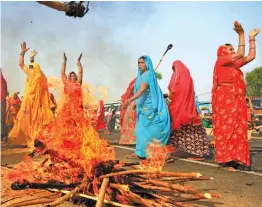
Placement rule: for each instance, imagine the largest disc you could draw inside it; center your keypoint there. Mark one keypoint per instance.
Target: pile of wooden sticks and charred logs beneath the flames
(125, 185)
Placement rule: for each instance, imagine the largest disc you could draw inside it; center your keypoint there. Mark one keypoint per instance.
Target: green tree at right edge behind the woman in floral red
(254, 82)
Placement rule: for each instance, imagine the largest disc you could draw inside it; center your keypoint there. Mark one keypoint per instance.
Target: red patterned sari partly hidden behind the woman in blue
(128, 117)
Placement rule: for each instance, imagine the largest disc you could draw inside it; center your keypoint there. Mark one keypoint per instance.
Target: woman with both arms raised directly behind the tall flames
(72, 86)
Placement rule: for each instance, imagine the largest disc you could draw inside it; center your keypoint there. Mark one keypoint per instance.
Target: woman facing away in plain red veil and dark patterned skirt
(188, 135)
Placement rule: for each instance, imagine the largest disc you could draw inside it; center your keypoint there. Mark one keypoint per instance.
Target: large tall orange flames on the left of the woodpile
(70, 143)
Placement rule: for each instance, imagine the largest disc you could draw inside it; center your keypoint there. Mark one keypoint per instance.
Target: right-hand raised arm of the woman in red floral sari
(252, 49)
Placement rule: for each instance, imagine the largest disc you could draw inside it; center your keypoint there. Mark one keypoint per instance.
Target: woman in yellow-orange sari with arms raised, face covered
(35, 108)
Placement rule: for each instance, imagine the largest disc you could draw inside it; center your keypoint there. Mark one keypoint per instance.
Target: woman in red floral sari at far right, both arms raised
(229, 103)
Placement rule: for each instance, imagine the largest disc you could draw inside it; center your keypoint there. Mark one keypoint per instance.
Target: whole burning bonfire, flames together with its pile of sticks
(78, 165)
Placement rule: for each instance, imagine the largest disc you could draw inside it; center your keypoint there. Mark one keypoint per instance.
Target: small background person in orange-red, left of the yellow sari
(13, 106)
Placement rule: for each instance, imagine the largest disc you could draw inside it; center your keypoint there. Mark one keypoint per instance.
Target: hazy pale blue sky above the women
(112, 35)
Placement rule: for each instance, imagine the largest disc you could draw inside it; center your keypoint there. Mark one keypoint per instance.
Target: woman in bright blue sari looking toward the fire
(153, 119)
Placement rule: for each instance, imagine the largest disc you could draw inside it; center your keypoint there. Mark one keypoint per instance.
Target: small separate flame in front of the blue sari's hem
(157, 156)
